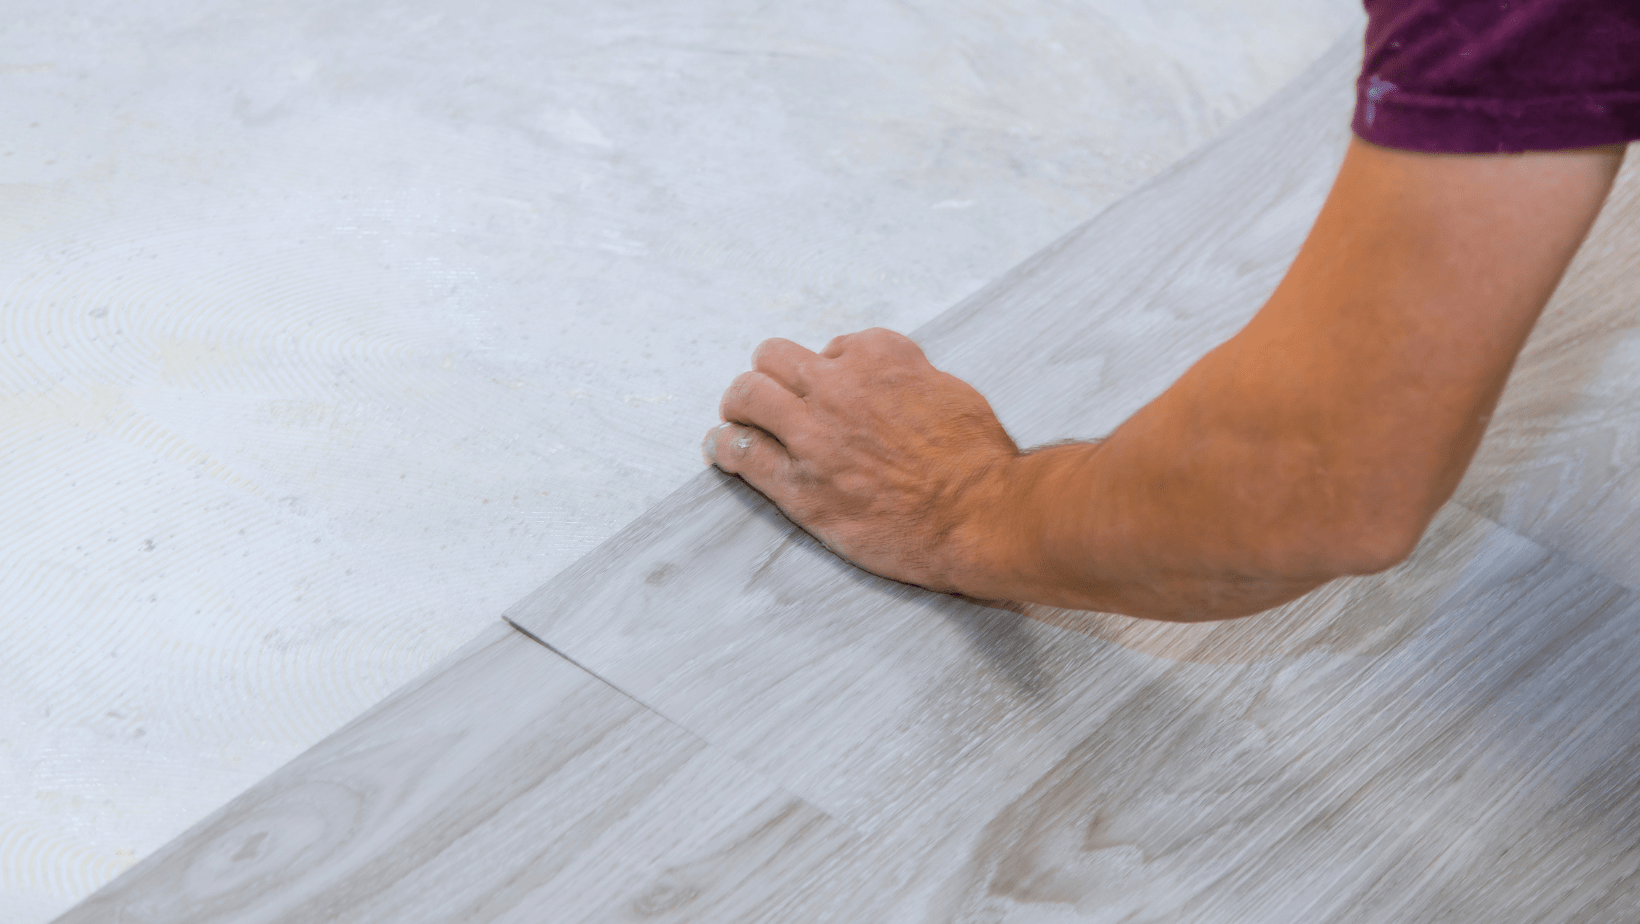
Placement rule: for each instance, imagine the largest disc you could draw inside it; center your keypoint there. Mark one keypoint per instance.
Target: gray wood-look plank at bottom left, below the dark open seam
(506, 785)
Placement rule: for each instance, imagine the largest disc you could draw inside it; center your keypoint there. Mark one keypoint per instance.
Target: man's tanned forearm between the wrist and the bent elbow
(1206, 505)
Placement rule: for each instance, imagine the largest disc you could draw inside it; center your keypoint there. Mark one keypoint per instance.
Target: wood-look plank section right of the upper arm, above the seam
(1562, 457)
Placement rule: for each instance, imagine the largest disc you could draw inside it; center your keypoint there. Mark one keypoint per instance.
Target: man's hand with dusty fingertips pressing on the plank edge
(891, 464)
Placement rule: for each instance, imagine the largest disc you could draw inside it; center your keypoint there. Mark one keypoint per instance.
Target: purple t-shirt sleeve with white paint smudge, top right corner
(1482, 76)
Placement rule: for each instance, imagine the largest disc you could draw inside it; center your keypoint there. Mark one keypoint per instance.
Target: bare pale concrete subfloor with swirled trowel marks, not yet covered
(327, 331)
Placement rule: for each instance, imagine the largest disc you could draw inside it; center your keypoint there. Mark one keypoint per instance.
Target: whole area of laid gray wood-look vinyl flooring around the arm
(724, 723)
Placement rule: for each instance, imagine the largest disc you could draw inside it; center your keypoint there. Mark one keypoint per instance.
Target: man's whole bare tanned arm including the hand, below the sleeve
(1314, 444)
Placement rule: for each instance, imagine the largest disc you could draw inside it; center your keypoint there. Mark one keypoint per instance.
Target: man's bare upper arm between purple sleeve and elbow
(1388, 344)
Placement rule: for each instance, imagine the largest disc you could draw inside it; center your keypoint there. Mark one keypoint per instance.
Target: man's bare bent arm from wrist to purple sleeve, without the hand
(1323, 439)
